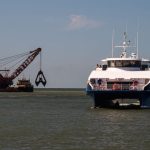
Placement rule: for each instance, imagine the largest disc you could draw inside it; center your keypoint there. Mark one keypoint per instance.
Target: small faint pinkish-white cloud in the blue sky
(80, 21)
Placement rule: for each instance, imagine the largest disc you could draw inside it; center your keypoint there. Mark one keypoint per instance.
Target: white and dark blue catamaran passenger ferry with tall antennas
(119, 81)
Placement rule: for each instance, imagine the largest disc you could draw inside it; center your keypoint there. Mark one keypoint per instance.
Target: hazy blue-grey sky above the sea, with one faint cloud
(74, 34)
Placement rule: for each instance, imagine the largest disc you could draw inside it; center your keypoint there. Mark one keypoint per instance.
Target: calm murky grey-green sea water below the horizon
(63, 120)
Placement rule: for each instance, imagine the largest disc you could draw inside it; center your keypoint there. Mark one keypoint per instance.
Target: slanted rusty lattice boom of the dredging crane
(26, 63)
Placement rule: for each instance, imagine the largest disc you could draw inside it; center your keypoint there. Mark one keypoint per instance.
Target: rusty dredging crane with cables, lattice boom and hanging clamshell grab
(27, 58)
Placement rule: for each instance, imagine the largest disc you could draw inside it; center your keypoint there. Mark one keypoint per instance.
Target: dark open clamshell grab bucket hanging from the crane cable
(40, 78)
